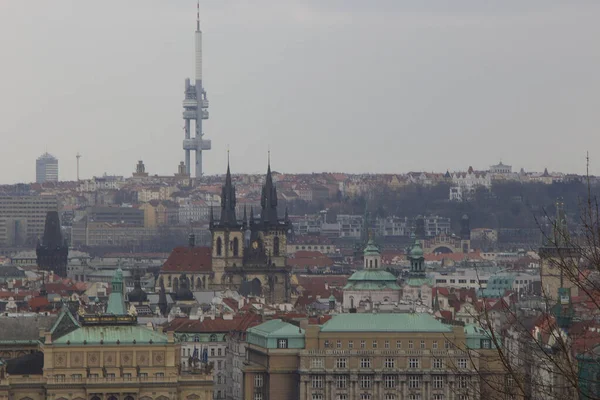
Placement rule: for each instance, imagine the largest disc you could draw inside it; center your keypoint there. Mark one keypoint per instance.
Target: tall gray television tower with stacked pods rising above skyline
(195, 107)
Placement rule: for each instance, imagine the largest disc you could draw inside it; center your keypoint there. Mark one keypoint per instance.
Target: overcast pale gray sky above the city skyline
(353, 85)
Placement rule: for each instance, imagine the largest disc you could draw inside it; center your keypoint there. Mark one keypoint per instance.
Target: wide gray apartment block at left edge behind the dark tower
(22, 218)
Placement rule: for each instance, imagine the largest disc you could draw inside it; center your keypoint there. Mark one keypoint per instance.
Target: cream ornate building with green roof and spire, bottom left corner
(104, 357)
